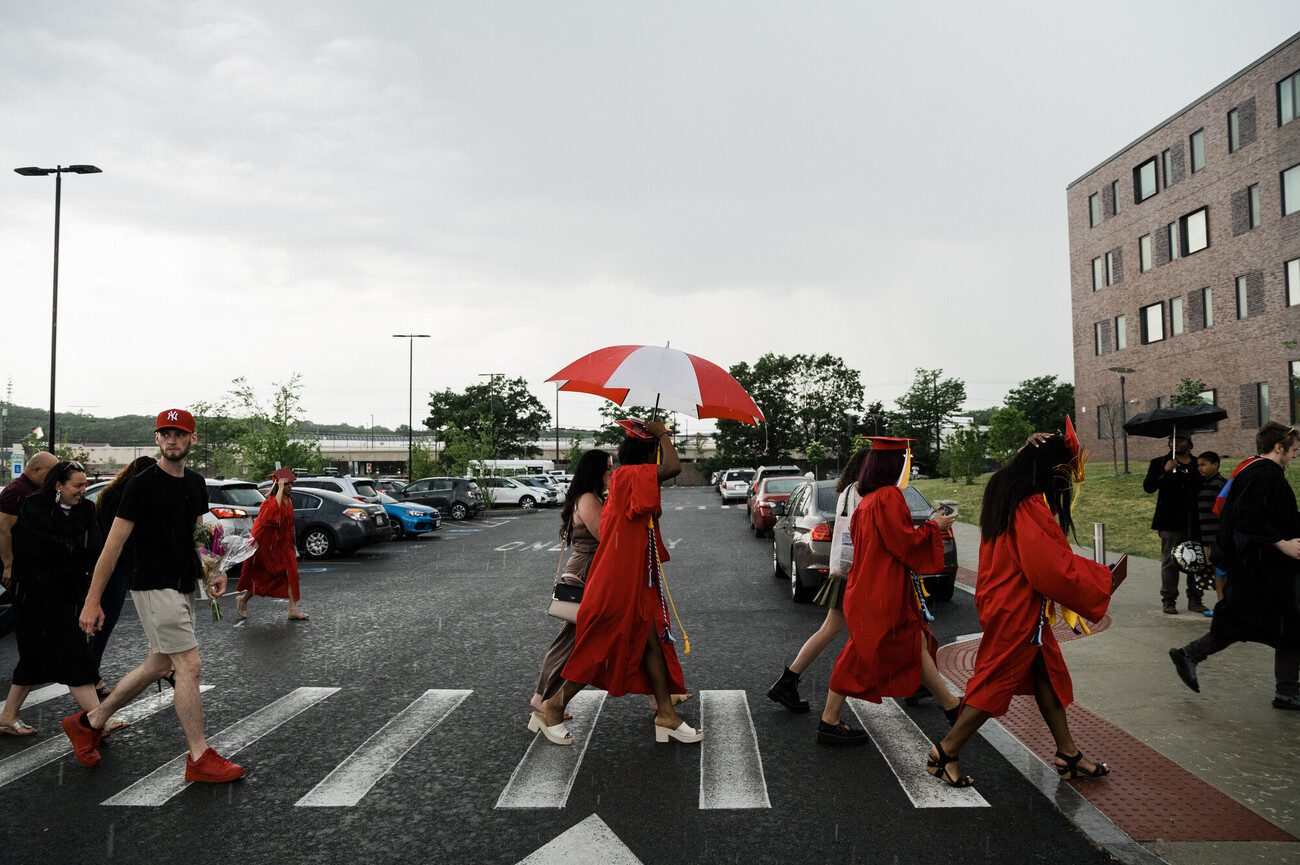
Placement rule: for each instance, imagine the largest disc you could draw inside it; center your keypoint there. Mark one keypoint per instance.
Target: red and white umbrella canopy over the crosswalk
(664, 378)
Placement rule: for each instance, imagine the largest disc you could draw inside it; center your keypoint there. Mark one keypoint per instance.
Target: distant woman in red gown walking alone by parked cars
(274, 569)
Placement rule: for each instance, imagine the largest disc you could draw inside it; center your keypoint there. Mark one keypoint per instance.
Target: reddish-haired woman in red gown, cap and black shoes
(891, 650)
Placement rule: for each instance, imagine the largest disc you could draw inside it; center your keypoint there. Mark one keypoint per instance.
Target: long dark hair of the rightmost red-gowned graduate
(1035, 472)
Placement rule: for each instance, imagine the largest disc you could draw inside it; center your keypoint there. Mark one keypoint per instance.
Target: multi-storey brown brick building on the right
(1185, 262)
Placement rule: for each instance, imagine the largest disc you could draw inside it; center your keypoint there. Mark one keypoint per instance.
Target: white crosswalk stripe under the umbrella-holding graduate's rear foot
(547, 773)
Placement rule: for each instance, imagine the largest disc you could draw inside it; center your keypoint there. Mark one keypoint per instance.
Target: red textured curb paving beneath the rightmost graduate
(1147, 795)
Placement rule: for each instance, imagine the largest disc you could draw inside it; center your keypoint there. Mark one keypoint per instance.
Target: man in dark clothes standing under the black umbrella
(1176, 483)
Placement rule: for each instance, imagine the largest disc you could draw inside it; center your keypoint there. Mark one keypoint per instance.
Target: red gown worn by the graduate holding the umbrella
(621, 608)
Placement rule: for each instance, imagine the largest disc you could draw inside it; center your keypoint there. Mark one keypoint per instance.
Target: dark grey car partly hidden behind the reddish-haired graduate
(801, 540)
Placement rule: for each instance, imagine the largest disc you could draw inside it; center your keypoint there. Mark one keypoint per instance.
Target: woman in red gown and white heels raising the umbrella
(623, 641)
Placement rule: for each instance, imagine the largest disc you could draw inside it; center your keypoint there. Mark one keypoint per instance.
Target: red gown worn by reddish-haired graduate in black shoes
(882, 658)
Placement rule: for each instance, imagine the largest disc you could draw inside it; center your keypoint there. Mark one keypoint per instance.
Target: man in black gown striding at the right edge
(1259, 544)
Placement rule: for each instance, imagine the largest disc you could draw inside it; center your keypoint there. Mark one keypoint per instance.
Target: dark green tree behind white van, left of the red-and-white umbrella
(501, 413)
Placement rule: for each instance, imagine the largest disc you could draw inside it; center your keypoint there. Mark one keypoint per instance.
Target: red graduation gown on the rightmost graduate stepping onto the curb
(1017, 570)
